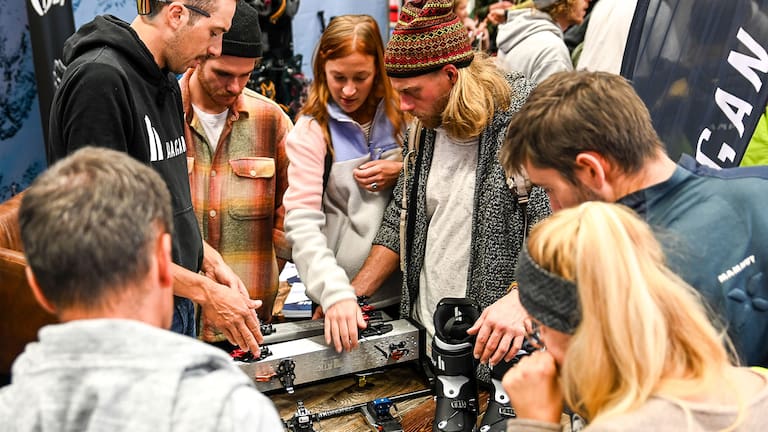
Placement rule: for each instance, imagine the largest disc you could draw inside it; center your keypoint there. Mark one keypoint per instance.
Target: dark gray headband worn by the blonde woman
(547, 297)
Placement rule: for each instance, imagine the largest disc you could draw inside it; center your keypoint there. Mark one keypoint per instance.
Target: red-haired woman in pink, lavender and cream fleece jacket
(345, 153)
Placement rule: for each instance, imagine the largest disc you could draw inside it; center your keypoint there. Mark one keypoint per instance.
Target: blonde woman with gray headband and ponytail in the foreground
(630, 345)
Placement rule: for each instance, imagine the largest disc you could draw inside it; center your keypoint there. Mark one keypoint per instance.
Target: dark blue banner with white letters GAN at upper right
(701, 66)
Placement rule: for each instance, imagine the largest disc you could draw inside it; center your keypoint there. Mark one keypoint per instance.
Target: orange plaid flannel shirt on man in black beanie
(237, 191)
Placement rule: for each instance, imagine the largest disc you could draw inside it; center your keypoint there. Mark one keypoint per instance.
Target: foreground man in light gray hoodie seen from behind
(96, 231)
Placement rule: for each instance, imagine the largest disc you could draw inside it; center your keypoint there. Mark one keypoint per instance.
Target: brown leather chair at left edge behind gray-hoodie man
(20, 315)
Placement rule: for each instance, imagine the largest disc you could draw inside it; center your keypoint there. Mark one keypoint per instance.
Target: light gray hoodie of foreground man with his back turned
(122, 375)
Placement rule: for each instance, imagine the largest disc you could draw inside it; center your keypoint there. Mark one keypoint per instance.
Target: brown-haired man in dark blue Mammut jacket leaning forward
(588, 136)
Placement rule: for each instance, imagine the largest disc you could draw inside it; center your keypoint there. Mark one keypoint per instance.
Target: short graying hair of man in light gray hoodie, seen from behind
(88, 224)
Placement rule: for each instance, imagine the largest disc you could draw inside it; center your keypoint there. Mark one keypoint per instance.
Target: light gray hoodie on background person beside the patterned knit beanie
(531, 43)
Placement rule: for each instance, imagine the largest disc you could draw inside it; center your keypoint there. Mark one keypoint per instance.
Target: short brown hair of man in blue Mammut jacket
(574, 112)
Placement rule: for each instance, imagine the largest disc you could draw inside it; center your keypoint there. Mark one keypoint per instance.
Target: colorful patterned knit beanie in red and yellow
(427, 37)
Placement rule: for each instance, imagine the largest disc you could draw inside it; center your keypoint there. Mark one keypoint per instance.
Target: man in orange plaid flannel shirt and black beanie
(237, 162)
